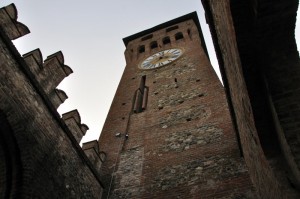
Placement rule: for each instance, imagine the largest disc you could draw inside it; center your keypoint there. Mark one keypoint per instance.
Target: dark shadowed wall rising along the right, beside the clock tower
(251, 40)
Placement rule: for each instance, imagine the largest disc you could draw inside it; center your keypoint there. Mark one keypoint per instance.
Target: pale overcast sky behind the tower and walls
(89, 33)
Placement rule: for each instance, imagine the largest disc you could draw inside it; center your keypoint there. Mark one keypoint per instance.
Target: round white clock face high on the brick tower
(161, 58)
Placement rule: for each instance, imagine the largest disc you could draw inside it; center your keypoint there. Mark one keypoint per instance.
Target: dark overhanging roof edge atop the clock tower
(192, 15)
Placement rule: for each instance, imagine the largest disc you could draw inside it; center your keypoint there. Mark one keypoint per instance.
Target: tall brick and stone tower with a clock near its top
(168, 133)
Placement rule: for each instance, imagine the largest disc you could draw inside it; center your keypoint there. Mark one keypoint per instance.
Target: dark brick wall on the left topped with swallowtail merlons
(43, 146)
